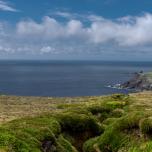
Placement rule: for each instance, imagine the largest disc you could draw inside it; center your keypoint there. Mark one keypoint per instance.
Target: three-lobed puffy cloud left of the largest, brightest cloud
(49, 29)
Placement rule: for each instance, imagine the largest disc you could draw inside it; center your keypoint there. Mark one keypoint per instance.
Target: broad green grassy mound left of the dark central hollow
(32, 134)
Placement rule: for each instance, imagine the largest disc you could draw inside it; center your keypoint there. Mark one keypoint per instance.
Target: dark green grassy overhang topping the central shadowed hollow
(77, 123)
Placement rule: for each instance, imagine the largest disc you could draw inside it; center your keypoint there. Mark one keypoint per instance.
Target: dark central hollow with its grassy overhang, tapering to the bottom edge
(79, 127)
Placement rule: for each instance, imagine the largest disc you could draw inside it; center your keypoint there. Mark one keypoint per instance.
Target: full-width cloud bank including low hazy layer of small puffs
(51, 36)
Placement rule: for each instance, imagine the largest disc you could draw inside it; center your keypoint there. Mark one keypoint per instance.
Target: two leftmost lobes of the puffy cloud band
(48, 29)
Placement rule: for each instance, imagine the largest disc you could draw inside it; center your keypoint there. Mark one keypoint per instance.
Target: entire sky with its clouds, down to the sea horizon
(80, 29)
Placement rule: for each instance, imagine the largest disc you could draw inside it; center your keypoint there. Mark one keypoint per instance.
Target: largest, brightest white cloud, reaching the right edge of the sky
(131, 31)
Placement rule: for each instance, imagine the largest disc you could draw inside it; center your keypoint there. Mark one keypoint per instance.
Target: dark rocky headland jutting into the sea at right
(140, 81)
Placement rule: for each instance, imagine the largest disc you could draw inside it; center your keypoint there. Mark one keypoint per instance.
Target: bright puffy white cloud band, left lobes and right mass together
(128, 31)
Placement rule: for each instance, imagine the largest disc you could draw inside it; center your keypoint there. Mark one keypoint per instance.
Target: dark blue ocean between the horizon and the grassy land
(66, 78)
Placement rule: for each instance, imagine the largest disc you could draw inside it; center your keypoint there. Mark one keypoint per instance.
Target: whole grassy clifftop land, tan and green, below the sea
(115, 123)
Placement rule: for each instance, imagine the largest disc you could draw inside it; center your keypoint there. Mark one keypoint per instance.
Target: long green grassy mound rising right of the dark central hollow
(120, 133)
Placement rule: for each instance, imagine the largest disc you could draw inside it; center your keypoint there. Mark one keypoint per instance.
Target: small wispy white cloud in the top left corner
(4, 6)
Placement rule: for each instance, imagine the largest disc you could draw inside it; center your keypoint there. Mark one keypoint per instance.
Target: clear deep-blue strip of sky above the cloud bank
(36, 9)
